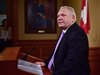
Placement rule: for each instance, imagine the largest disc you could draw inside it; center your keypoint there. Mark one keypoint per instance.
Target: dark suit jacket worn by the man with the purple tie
(71, 57)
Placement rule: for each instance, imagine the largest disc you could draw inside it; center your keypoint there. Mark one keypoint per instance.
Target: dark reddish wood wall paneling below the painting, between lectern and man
(43, 47)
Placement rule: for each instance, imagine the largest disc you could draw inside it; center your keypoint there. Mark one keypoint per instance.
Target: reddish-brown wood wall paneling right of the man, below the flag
(94, 59)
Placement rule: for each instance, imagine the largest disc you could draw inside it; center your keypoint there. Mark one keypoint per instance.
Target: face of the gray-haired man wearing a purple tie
(64, 19)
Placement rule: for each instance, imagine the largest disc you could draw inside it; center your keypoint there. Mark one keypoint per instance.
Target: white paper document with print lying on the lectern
(31, 67)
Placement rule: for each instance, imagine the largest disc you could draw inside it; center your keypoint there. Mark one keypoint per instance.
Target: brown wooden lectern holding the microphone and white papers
(9, 59)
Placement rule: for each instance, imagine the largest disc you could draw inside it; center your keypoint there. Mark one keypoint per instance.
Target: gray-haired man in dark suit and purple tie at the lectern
(71, 56)
